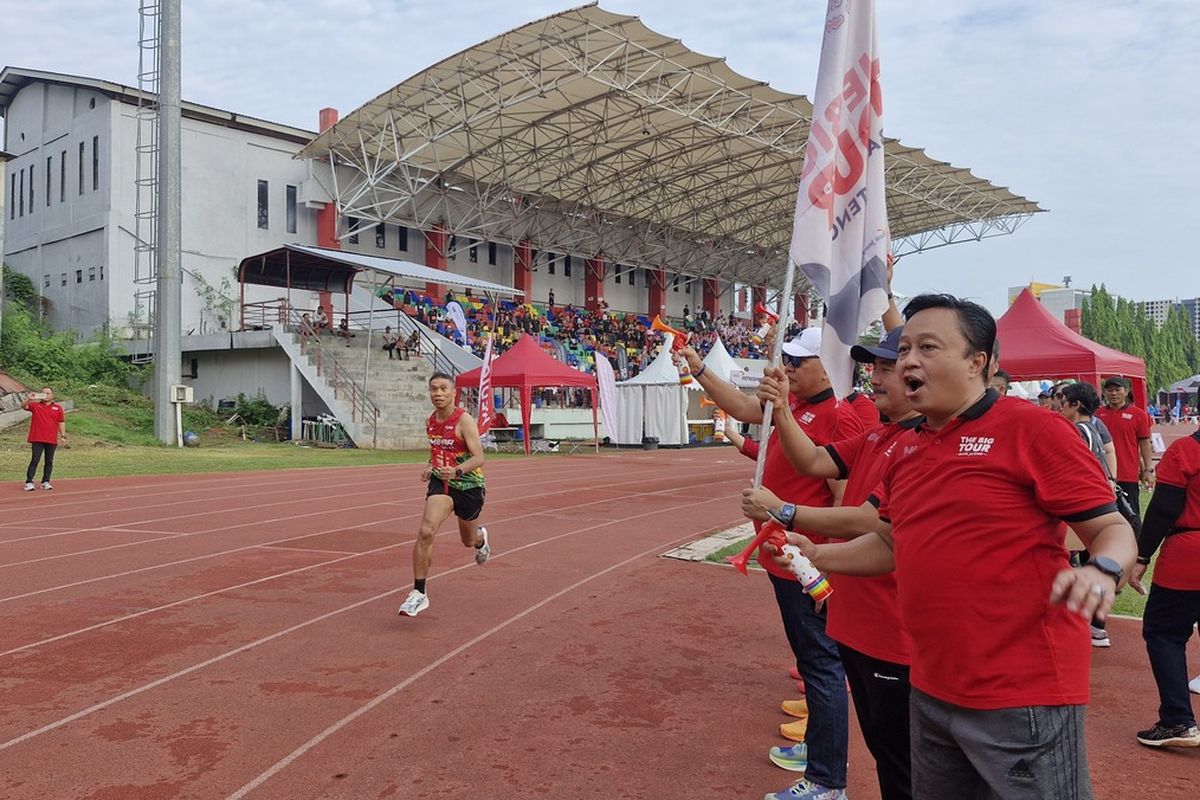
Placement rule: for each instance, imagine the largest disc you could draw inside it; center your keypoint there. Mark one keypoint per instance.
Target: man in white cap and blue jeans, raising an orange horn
(814, 407)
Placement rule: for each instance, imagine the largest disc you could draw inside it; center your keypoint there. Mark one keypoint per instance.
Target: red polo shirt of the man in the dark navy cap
(867, 613)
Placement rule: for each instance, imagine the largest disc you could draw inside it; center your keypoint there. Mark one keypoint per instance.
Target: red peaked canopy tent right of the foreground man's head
(1034, 345)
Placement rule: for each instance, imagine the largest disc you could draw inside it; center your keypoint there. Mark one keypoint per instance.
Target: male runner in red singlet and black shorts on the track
(457, 486)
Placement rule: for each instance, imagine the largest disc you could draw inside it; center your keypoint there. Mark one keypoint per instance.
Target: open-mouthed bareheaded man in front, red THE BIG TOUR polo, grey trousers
(973, 507)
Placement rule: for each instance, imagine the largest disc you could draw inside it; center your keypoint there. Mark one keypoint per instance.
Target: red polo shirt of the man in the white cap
(825, 420)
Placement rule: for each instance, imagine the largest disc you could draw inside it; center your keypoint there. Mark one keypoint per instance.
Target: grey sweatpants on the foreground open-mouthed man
(1034, 753)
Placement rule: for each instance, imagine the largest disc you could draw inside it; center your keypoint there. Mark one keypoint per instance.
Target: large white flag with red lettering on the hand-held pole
(841, 237)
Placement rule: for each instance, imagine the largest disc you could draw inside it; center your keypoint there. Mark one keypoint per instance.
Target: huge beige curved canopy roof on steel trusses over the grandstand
(589, 133)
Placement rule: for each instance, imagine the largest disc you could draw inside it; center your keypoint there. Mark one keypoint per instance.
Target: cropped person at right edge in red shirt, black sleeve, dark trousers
(1174, 606)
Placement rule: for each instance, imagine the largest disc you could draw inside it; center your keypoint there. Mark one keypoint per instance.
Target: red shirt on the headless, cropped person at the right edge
(1179, 563)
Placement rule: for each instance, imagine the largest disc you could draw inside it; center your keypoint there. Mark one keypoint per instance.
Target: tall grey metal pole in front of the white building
(170, 224)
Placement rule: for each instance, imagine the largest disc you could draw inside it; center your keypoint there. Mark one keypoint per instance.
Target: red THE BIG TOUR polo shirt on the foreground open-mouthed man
(975, 512)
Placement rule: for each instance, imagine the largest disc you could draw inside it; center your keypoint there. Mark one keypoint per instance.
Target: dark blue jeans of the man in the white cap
(825, 684)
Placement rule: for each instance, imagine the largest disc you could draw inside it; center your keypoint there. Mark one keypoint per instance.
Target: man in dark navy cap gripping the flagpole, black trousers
(863, 615)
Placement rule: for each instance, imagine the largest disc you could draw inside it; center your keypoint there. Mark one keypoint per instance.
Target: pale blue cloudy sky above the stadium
(1091, 109)
